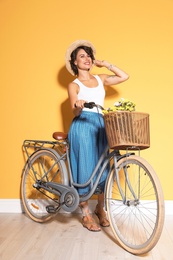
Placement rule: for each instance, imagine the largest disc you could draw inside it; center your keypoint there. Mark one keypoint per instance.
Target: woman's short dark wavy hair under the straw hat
(87, 49)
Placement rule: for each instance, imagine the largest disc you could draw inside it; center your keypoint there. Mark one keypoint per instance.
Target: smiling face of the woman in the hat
(83, 60)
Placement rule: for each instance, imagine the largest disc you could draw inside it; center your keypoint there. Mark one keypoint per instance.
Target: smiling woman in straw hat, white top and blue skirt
(86, 136)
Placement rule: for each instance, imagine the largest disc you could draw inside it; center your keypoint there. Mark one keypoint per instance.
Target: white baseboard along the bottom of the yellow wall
(15, 206)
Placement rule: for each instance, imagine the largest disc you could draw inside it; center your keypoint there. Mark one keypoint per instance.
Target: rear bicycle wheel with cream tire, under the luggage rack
(42, 166)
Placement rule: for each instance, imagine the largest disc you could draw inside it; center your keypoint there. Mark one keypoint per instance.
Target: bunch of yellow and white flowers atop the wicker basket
(121, 105)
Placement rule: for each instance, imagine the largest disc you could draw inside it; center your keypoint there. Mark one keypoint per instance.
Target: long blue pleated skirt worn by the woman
(87, 140)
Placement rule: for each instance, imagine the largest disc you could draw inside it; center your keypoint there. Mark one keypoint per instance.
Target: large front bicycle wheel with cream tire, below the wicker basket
(136, 210)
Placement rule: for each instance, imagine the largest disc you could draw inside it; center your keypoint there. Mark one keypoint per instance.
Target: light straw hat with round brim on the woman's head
(72, 47)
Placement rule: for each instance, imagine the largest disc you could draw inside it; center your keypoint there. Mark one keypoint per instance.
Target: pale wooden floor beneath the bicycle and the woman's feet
(64, 238)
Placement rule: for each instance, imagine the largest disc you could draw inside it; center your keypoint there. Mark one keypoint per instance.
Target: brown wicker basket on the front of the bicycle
(127, 130)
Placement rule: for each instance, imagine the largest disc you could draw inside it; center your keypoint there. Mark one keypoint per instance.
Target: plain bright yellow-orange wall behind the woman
(34, 34)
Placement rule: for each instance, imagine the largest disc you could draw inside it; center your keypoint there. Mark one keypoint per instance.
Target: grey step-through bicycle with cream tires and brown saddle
(133, 195)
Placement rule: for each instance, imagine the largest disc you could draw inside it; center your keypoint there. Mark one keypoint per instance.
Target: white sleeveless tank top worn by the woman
(96, 94)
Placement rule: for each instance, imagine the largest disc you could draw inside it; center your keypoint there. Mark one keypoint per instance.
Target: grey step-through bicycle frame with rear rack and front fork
(104, 160)
